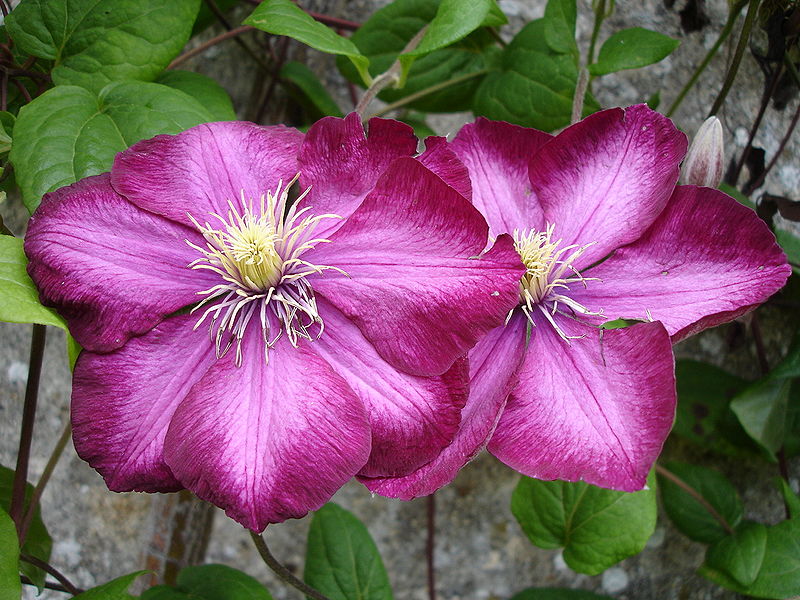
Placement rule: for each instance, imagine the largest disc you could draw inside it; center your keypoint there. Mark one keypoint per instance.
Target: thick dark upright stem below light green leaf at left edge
(26, 430)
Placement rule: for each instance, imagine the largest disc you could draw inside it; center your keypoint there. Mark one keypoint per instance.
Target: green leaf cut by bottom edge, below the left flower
(210, 582)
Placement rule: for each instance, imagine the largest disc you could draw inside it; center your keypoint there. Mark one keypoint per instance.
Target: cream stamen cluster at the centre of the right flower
(549, 275)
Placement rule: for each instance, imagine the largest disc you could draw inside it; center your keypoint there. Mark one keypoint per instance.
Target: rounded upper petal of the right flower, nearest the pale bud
(604, 180)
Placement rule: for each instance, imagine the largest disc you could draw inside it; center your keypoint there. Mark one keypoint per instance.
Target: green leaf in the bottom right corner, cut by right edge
(750, 564)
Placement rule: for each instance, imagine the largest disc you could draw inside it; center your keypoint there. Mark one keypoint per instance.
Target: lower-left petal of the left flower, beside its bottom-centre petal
(122, 403)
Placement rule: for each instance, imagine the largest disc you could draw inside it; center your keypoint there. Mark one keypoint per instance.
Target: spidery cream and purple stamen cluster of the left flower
(256, 251)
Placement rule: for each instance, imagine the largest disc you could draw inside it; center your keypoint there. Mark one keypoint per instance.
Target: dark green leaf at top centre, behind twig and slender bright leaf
(384, 35)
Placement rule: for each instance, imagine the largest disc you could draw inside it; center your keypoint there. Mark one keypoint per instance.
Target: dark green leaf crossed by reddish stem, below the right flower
(690, 516)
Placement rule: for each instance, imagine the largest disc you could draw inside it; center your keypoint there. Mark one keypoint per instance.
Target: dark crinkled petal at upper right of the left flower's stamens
(341, 163)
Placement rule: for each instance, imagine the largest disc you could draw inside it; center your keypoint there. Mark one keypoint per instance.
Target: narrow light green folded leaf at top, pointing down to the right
(284, 17)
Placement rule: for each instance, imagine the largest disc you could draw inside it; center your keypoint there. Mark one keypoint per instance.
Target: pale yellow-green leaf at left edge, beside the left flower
(19, 298)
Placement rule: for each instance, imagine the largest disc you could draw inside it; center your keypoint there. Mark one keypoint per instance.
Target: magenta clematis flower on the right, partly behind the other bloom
(605, 234)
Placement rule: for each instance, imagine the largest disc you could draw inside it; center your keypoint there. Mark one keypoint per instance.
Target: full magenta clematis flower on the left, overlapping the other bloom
(261, 352)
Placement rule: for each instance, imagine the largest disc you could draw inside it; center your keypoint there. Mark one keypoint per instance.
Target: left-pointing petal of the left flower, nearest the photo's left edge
(111, 269)
